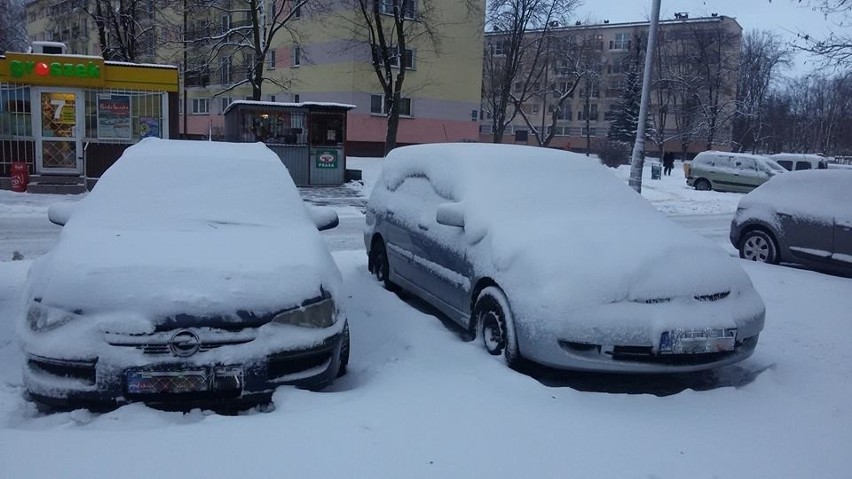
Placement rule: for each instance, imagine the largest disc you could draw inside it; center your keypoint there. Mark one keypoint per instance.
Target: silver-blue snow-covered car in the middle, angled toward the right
(547, 257)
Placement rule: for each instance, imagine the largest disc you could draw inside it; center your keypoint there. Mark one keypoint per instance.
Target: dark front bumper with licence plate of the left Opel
(230, 378)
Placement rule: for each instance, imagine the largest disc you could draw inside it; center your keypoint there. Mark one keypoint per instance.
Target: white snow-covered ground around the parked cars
(420, 402)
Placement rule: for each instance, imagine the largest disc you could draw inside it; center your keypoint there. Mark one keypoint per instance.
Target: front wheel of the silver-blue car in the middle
(496, 325)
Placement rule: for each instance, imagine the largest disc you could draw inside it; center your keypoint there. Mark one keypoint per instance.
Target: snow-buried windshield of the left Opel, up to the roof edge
(161, 186)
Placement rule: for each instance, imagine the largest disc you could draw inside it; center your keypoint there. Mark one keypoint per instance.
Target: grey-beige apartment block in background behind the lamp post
(693, 94)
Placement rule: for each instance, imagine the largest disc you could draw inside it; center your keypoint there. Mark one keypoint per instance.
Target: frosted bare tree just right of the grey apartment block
(763, 54)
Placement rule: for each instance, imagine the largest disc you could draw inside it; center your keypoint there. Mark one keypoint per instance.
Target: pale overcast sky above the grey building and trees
(786, 17)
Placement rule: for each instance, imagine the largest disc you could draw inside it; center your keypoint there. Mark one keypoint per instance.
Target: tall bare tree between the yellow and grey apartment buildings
(516, 54)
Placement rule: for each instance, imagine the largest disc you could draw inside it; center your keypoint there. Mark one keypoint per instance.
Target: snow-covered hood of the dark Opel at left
(216, 270)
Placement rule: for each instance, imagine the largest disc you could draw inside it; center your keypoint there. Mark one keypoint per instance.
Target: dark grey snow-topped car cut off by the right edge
(803, 217)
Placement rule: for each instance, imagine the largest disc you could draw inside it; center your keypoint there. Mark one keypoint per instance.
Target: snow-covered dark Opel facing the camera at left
(193, 273)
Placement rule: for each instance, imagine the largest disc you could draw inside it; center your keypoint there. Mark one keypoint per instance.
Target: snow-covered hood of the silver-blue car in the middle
(587, 261)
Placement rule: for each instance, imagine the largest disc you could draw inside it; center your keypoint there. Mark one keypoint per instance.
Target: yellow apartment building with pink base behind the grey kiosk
(324, 61)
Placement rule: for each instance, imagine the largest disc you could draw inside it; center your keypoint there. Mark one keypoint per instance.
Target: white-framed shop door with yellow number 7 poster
(58, 126)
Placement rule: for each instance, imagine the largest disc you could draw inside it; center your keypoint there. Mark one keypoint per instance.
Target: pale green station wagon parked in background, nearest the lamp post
(723, 171)
